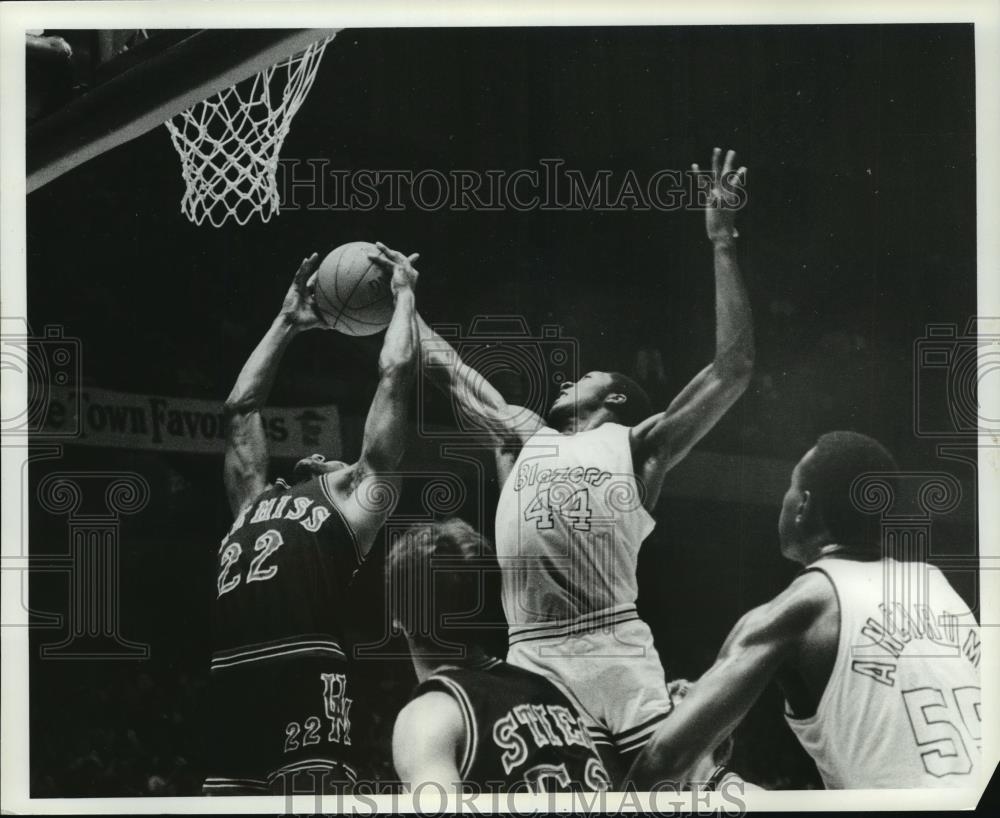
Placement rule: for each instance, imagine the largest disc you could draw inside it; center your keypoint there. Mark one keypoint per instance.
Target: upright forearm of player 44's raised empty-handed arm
(734, 341)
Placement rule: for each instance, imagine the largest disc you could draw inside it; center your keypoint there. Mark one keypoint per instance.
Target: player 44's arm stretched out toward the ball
(474, 396)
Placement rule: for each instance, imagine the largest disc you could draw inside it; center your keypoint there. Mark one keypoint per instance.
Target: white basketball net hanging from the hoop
(229, 144)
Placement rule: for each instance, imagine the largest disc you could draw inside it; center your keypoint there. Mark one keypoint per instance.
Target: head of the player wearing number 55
(817, 509)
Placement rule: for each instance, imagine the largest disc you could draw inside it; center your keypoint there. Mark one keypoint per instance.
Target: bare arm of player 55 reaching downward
(759, 644)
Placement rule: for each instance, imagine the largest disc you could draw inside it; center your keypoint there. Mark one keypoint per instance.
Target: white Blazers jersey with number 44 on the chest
(569, 525)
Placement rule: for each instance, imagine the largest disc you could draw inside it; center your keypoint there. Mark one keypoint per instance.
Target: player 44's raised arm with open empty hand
(665, 438)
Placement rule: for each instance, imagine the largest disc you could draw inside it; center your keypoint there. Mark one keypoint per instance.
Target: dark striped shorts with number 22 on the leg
(281, 719)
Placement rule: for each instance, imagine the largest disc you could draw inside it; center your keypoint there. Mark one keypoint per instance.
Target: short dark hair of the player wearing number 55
(838, 459)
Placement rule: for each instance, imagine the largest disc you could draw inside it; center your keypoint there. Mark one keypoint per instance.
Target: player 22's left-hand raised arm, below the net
(245, 470)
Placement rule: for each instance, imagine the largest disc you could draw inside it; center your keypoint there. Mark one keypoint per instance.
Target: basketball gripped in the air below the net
(352, 292)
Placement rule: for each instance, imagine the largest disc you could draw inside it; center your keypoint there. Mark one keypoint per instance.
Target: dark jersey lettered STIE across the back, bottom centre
(521, 733)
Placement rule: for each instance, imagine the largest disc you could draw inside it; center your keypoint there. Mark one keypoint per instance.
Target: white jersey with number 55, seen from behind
(902, 706)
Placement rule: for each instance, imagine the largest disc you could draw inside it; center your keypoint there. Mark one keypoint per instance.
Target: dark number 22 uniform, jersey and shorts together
(281, 693)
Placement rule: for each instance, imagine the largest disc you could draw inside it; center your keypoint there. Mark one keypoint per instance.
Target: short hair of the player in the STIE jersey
(428, 580)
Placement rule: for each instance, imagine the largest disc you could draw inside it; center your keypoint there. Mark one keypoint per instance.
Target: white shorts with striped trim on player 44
(607, 666)
